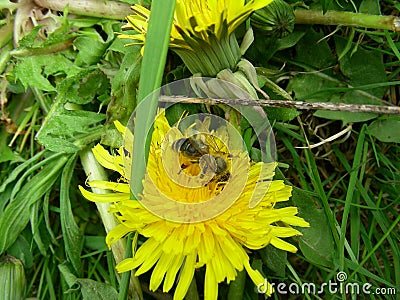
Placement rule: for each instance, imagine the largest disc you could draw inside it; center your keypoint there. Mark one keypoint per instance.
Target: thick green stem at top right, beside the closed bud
(347, 19)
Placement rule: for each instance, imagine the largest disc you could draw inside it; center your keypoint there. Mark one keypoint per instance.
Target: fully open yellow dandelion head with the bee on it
(181, 238)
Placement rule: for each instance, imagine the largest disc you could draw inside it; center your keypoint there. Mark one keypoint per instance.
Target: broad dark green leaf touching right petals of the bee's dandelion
(316, 243)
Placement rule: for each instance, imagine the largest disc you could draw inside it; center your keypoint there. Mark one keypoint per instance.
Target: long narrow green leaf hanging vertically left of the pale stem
(73, 237)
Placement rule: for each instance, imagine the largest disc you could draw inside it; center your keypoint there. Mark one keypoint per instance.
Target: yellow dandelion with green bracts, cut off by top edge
(202, 33)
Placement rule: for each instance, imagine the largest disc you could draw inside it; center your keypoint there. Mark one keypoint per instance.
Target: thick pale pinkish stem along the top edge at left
(101, 9)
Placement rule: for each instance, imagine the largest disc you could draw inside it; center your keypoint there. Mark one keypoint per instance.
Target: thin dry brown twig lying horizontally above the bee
(357, 108)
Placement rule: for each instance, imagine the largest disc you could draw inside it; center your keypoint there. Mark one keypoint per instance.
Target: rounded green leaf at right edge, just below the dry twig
(386, 129)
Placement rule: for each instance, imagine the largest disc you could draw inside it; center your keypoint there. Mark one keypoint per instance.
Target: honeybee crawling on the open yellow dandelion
(199, 151)
